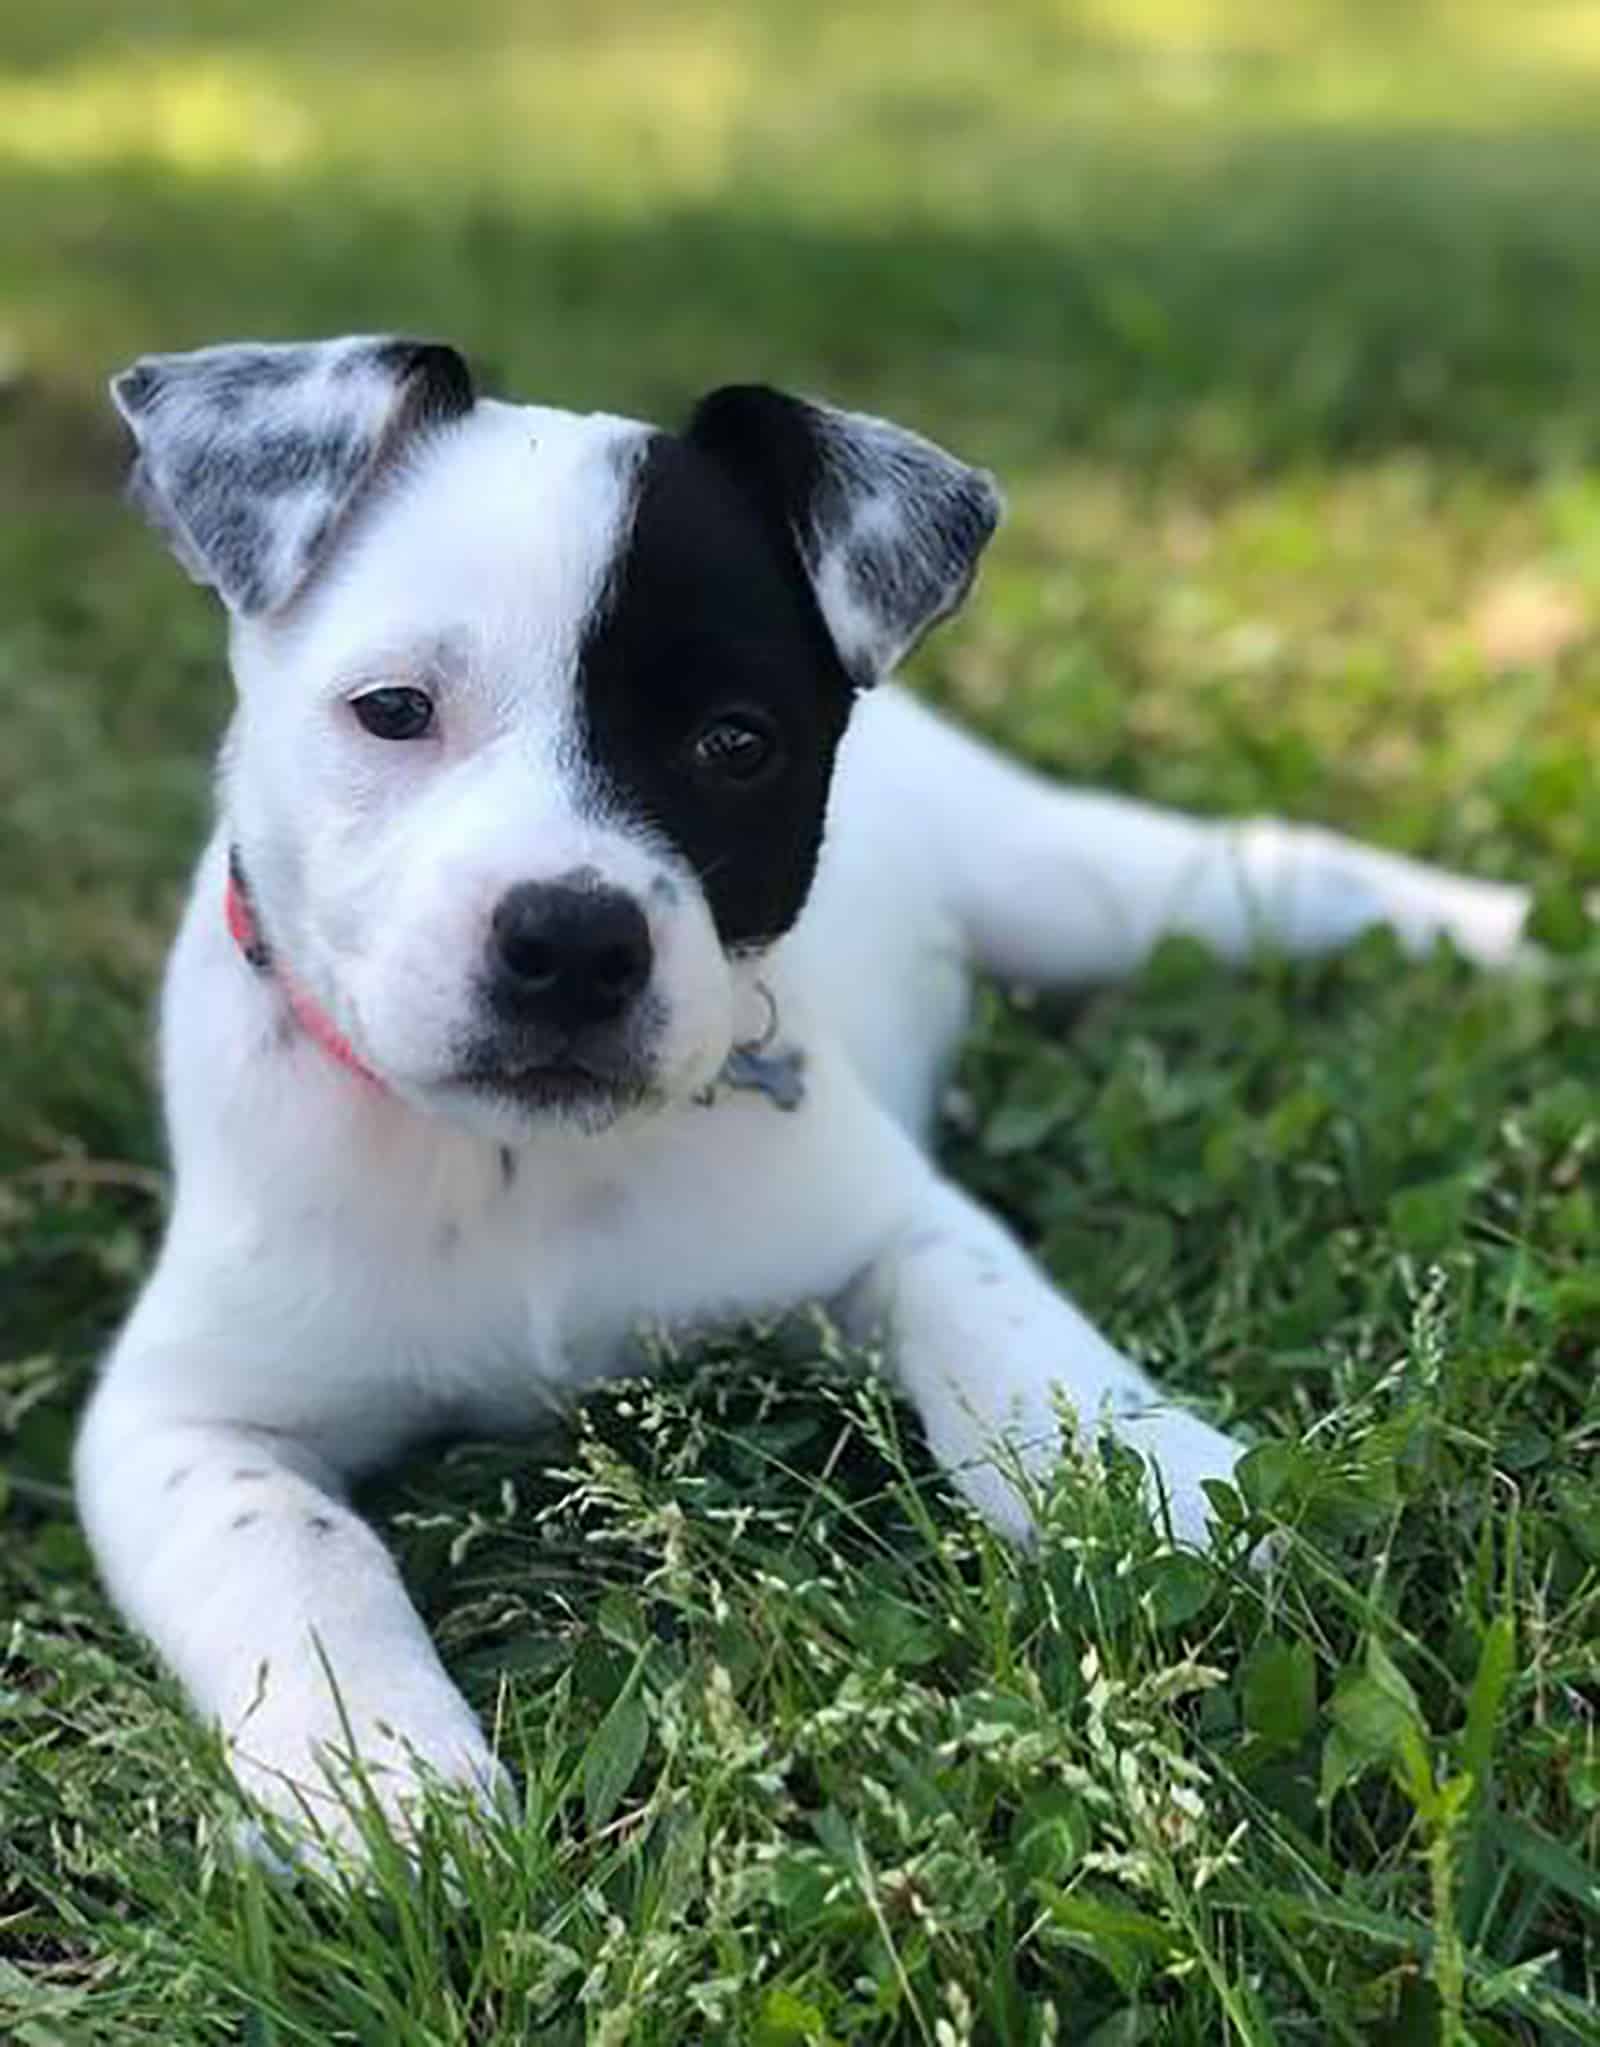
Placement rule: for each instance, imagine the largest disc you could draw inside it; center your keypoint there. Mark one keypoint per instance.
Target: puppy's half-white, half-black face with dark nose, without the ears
(537, 767)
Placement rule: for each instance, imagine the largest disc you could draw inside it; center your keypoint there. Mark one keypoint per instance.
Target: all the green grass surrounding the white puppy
(1280, 324)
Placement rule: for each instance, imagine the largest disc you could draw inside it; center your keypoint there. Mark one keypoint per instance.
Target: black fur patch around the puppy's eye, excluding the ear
(709, 627)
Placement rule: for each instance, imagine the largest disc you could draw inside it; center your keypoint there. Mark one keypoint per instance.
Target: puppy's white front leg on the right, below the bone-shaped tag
(987, 1348)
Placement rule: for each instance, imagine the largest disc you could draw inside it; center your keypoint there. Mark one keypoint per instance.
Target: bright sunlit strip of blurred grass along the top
(629, 110)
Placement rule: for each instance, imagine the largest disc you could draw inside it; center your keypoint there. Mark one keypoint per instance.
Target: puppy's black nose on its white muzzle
(568, 955)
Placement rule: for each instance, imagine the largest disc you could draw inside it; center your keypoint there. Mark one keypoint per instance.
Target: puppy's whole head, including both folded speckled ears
(537, 711)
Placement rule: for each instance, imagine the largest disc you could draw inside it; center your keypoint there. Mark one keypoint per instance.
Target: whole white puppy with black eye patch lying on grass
(580, 951)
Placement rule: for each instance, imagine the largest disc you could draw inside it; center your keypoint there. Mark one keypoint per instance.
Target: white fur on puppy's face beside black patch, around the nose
(474, 574)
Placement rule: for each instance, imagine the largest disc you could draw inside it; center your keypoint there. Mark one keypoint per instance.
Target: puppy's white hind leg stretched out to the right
(1067, 887)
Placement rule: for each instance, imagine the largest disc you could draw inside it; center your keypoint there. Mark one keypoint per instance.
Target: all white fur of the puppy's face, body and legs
(351, 1268)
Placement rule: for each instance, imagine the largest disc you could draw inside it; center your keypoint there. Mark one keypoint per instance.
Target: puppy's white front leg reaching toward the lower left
(281, 1612)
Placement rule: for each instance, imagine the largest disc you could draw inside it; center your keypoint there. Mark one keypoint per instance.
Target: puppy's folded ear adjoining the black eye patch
(889, 529)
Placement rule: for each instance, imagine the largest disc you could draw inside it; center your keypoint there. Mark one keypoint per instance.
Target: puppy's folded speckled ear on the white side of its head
(249, 458)
